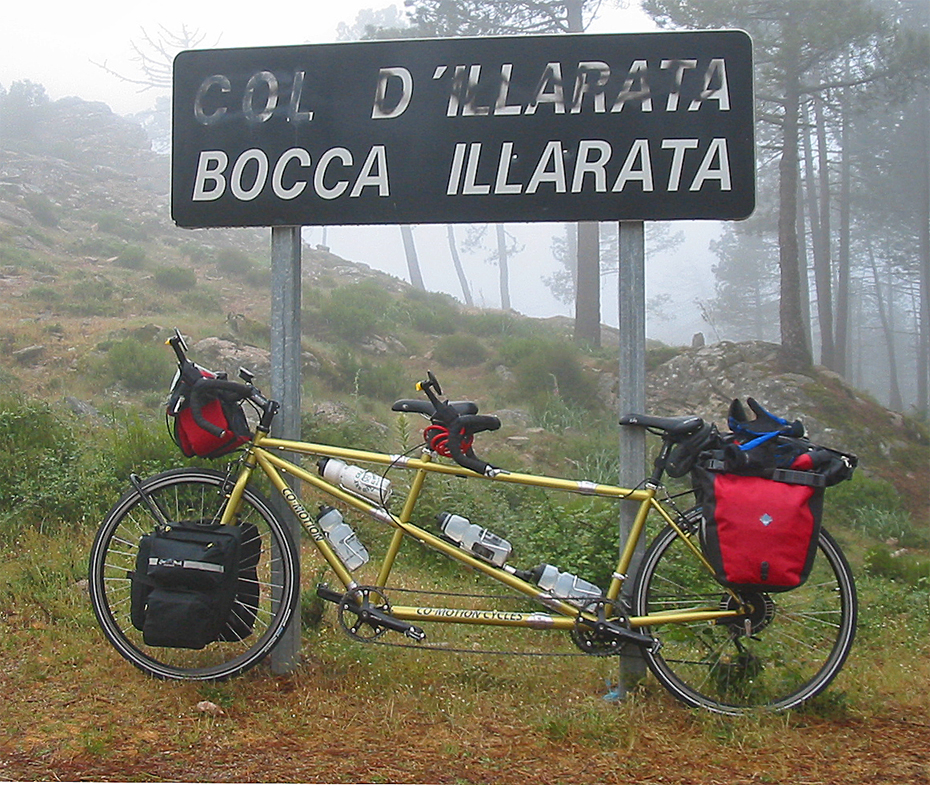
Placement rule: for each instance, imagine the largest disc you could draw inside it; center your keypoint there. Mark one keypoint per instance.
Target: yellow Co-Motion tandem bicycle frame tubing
(263, 454)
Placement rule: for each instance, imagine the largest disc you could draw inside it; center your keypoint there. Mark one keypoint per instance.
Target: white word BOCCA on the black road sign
(291, 174)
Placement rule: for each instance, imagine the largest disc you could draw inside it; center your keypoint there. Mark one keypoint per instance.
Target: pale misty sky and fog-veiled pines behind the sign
(854, 85)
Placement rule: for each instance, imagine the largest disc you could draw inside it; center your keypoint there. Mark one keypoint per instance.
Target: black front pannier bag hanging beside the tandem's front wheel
(185, 585)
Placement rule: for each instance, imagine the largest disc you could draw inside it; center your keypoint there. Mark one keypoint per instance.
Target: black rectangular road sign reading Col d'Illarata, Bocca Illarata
(655, 126)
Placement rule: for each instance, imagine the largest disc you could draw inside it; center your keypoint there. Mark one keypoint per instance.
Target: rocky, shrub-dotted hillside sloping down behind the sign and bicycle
(89, 256)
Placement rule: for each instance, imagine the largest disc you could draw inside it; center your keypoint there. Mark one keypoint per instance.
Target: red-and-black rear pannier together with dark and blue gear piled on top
(761, 491)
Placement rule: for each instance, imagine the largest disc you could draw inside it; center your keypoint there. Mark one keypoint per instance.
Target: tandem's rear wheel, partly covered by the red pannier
(799, 639)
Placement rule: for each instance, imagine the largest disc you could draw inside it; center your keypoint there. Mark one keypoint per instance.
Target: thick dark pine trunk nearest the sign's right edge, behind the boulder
(793, 333)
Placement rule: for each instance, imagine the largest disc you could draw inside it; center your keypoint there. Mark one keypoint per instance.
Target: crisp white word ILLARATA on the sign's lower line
(591, 170)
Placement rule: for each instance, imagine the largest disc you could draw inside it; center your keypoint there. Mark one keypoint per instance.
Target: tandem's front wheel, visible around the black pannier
(191, 494)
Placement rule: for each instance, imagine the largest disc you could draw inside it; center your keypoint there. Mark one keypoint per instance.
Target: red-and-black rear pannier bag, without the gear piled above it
(760, 534)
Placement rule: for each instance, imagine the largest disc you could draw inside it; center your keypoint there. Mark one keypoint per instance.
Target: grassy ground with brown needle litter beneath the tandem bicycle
(73, 709)
